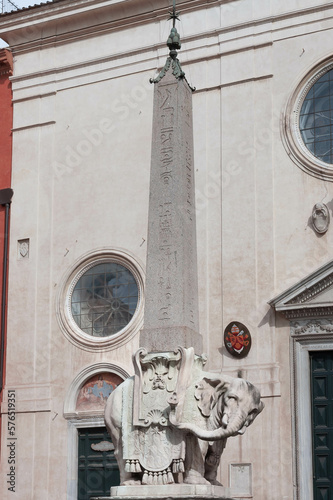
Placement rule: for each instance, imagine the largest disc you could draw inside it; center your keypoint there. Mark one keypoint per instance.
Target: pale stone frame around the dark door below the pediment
(301, 346)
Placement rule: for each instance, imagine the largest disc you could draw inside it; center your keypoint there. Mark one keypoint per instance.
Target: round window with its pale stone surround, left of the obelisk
(100, 301)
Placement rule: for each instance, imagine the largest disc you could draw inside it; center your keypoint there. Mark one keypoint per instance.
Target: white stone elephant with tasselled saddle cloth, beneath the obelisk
(170, 422)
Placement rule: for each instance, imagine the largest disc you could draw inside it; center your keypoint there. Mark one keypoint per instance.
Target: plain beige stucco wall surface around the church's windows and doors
(78, 190)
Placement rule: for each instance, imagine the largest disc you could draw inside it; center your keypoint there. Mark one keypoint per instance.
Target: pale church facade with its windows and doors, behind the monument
(263, 142)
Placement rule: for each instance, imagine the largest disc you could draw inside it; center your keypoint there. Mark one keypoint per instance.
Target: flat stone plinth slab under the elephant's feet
(168, 492)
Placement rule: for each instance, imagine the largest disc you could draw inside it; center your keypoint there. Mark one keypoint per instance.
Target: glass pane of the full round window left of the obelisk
(104, 299)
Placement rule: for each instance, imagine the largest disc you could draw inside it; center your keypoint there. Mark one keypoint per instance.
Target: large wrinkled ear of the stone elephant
(207, 392)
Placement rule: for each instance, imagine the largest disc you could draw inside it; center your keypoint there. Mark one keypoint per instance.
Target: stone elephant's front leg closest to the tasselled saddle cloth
(194, 460)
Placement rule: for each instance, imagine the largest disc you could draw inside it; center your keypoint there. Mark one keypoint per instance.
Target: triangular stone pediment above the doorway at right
(310, 297)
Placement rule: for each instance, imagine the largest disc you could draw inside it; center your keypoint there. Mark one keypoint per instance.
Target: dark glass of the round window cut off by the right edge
(316, 118)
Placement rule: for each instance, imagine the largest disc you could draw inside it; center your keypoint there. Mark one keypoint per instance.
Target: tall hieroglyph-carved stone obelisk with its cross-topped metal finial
(171, 296)
